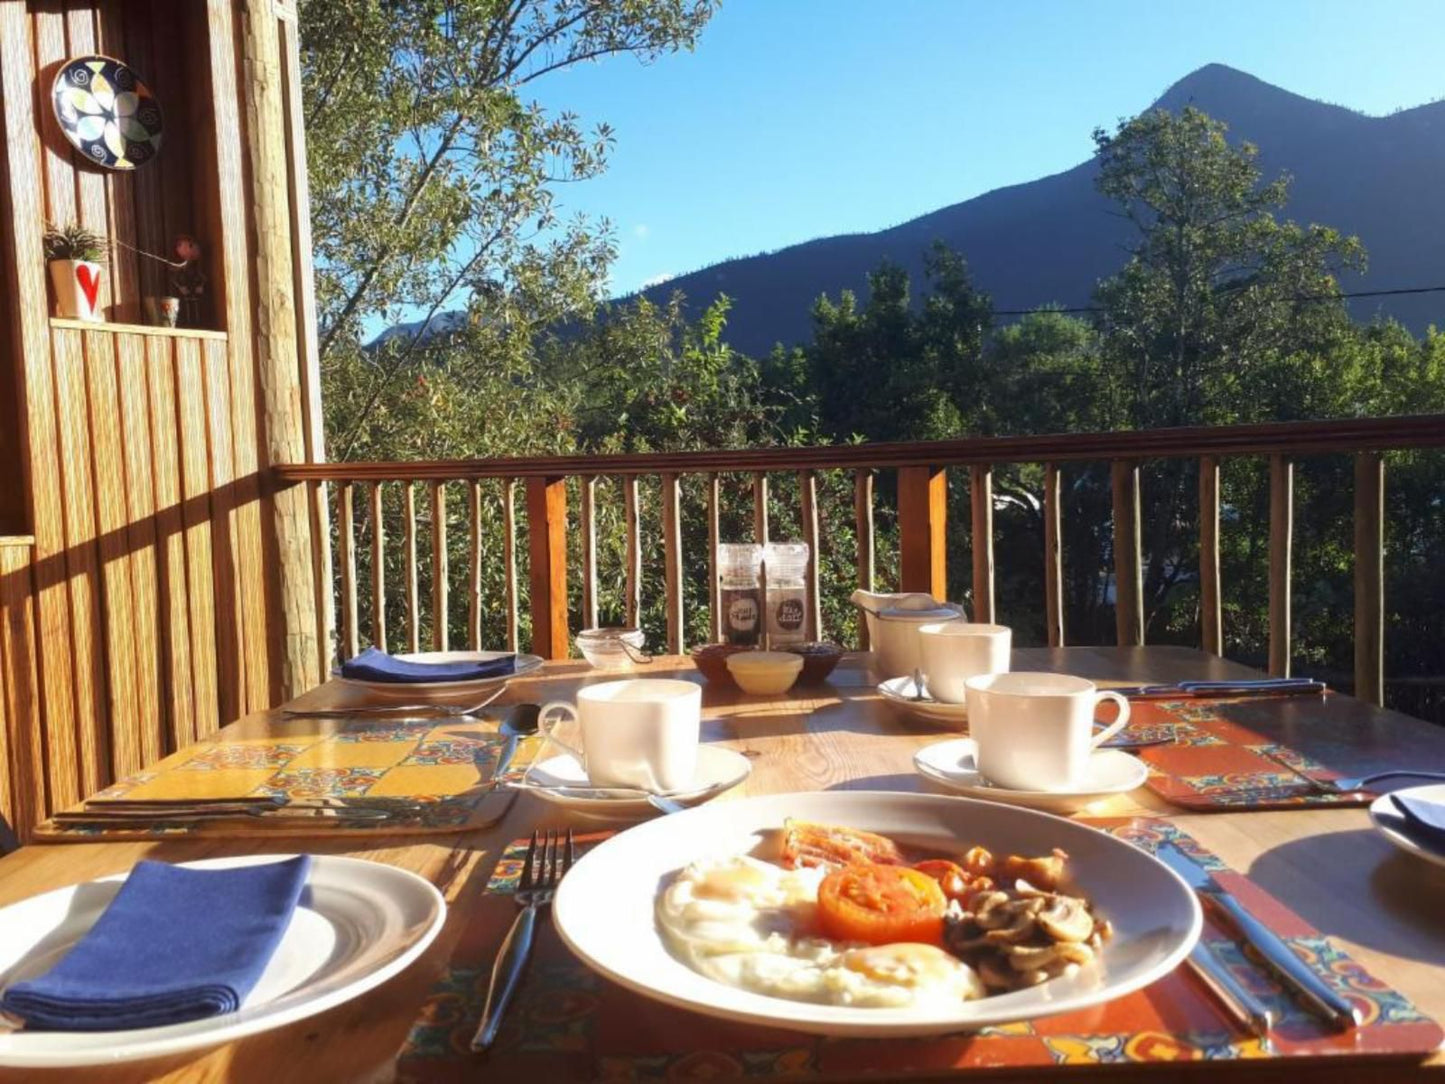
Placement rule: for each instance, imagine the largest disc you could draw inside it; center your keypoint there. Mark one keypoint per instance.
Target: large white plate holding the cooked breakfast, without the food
(605, 908)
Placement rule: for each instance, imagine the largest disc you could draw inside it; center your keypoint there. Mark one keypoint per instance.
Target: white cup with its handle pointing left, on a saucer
(639, 734)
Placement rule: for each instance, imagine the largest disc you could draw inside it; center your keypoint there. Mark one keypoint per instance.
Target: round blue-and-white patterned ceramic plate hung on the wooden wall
(108, 113)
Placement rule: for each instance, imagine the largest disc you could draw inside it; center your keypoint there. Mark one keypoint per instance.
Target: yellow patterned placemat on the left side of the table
(443, 768)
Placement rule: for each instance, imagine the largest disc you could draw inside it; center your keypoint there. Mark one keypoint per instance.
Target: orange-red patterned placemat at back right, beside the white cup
(1217, 762)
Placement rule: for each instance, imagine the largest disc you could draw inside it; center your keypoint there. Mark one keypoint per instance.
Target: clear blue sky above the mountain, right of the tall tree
(798, 119)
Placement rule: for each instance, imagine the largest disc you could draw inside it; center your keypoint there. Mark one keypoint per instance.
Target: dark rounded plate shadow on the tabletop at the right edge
(1362, 890)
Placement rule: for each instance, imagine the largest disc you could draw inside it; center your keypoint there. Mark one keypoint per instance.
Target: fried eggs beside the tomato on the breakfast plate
(751, 924)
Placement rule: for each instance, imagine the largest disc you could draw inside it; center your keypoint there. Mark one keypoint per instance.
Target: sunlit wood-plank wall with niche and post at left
(154, 586)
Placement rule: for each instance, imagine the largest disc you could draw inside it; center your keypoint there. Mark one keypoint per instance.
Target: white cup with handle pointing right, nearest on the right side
(1035, 732)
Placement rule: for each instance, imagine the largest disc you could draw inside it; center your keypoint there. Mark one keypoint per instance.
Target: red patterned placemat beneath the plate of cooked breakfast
(570, 1024)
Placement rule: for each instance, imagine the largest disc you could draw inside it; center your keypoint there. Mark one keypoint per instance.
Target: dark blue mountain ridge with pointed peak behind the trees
(1051, 241)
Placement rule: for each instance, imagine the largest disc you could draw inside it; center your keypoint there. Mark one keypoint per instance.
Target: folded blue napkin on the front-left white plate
(174, 946)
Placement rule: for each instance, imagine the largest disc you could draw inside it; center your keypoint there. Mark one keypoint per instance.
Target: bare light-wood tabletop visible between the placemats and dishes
(1385, 908)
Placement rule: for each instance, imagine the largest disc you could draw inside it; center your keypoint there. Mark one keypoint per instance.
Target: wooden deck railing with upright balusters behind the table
(921, 515)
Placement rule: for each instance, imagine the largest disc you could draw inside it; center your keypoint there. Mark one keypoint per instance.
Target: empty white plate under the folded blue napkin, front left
(358, 926)
